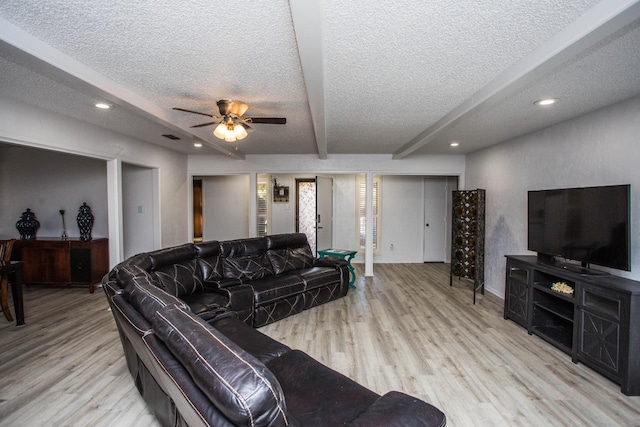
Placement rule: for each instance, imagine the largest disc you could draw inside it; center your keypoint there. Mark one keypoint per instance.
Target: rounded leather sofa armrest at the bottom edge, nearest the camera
(399, 409)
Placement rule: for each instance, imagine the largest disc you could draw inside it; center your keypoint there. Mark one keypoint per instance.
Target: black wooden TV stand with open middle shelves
(598, 325)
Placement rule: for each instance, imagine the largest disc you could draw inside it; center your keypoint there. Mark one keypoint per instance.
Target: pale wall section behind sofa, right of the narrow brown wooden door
(225, 207)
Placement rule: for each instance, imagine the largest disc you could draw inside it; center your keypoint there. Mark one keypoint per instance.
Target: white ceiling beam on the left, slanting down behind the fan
(46, 60)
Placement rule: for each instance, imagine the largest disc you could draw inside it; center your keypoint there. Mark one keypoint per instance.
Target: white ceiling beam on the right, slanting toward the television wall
(594, 26)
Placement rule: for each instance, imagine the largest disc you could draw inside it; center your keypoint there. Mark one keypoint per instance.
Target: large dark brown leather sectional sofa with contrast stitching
(186, 318)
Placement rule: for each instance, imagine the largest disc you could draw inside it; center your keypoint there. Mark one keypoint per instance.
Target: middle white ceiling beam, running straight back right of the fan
(307, 23)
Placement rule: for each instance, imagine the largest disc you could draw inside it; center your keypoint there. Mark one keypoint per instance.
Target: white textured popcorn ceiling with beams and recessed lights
(374, 77)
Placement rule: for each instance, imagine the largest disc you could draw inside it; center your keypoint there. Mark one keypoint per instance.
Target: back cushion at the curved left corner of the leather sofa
(142, 291)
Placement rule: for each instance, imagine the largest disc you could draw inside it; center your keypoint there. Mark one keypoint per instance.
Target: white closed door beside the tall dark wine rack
(435, 218)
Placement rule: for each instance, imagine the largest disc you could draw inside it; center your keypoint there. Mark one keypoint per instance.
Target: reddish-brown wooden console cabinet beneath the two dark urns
(52, 261)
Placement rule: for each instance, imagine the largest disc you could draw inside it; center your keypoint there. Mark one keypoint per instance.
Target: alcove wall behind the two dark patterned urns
(46, 181)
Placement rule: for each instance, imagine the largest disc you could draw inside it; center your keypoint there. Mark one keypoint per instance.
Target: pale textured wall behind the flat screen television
(602, 148)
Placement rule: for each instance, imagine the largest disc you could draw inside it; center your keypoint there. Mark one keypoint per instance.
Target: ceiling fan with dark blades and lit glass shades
(232, 127)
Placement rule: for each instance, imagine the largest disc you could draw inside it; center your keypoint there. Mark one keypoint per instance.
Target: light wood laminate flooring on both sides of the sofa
(404, 329)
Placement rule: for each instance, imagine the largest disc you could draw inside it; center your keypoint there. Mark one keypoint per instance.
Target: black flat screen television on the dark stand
(590, 225)
